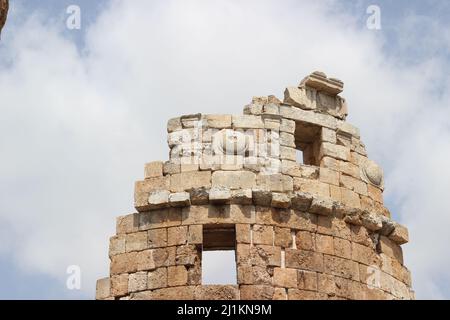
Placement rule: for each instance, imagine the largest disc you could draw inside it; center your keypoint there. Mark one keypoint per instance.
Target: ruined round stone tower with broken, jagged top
(288, 186)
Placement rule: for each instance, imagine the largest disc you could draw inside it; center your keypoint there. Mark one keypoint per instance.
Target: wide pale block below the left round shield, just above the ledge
(234, 179)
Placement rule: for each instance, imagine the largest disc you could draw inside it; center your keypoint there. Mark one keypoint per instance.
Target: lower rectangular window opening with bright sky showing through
(219, 255)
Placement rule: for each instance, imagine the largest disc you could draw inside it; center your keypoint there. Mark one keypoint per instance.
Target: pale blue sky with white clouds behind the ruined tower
(82, 110)
